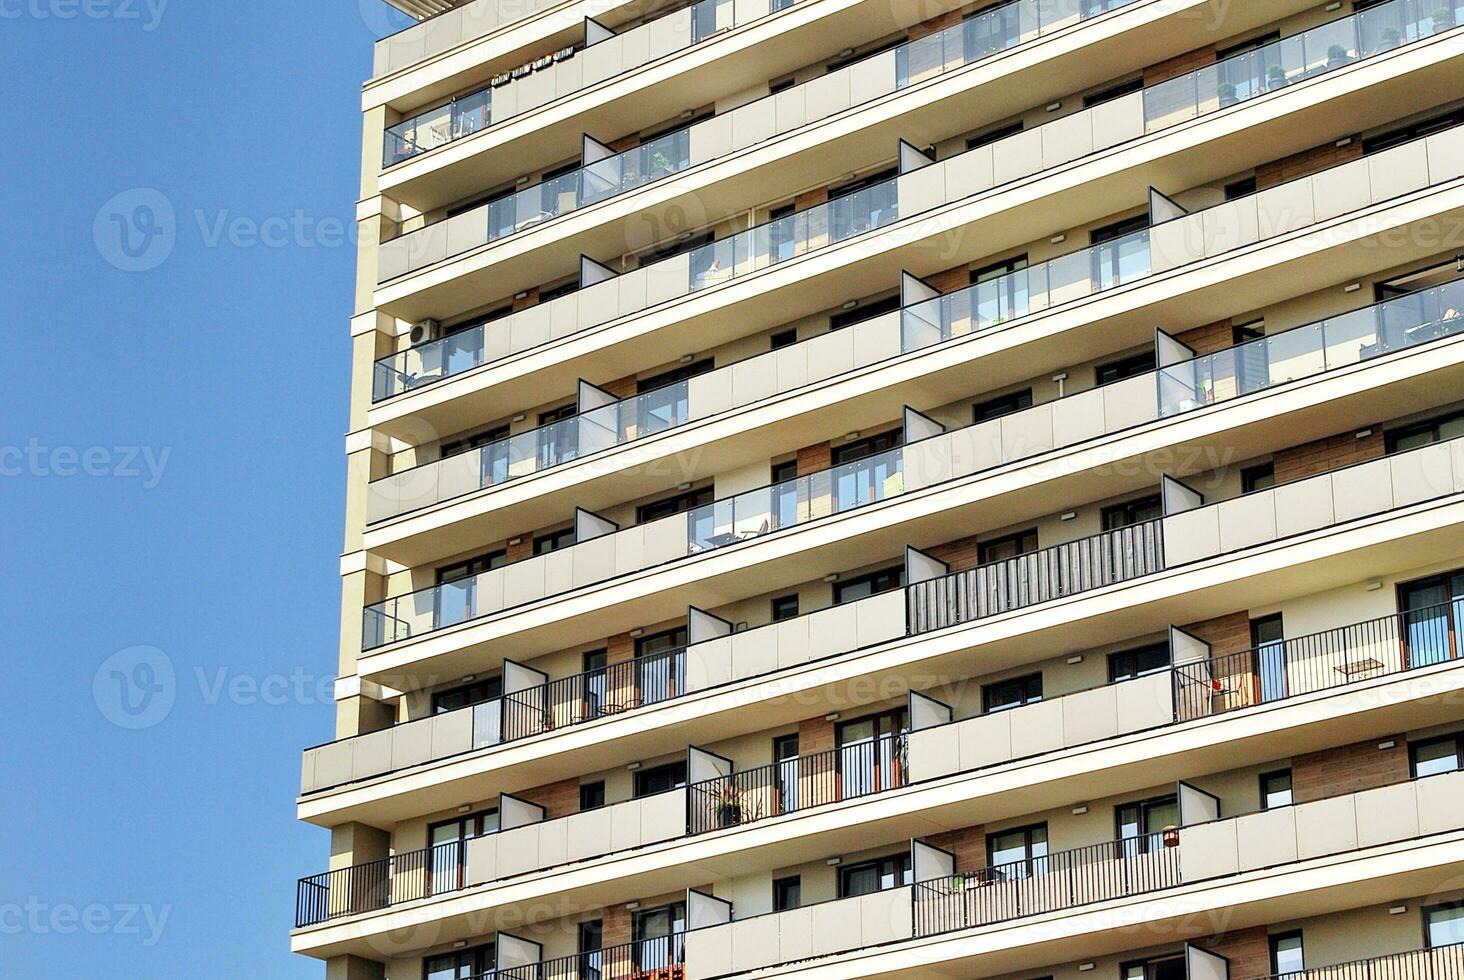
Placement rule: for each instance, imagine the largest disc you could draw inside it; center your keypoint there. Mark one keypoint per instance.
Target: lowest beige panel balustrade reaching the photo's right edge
(1434, 805)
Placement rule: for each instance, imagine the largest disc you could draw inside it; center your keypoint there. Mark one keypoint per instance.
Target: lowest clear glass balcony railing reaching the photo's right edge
(1302, 352)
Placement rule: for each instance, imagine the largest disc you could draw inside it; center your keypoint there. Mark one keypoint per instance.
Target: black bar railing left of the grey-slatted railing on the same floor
(610, 691)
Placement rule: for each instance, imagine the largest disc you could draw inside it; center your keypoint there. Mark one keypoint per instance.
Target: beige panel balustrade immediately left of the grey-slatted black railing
(809, 638)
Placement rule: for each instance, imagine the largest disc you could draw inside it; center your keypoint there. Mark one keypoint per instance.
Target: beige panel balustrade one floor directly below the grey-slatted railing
(1033, 730)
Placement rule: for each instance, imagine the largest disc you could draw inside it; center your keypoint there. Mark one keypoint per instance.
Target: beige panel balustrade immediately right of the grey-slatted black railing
(1314, 503)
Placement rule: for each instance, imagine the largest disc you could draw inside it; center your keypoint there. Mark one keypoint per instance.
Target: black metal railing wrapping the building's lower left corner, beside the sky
(374, 886)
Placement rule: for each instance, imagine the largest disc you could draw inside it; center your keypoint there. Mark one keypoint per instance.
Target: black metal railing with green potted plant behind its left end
(847, 773)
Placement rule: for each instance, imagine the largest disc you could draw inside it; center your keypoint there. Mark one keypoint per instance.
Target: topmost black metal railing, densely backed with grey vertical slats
(1045, 575)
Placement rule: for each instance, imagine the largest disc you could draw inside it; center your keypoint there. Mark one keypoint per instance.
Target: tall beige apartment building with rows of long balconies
(929, 490)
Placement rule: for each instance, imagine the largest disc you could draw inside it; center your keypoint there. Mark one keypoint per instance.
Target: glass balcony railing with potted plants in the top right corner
(1298, 58)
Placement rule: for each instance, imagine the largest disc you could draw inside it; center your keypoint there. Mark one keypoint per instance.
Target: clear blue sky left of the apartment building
(172, 471)
